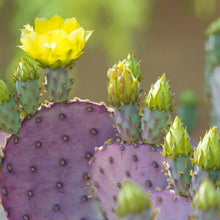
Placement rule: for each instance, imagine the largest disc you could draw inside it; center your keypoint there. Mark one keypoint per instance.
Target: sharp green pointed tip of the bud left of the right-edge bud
(177, 141)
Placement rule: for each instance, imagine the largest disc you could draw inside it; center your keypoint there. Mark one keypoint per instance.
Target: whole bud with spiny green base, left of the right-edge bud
(177, 149)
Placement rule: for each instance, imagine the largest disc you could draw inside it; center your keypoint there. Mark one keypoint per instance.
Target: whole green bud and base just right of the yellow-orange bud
(157, 112)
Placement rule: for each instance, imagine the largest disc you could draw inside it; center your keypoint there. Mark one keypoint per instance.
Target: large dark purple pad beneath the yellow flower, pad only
(45, 172)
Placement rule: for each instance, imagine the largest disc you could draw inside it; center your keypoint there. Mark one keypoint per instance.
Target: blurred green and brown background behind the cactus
(168, 36)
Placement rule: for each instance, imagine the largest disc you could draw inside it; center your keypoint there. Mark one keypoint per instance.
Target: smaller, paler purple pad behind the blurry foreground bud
(115, 163)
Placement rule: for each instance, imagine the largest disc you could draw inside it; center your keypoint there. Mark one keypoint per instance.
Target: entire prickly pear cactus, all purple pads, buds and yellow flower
(62, 161)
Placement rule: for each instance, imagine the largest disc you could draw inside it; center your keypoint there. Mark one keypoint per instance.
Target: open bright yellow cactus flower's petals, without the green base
(54, 42)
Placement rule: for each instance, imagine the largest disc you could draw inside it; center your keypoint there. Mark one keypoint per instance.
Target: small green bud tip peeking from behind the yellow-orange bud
(134, 66)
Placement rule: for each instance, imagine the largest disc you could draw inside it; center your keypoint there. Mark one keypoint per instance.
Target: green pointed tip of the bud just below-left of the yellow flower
(25, 71)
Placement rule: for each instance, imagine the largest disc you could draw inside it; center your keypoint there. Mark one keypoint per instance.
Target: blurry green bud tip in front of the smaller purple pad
(132, 200)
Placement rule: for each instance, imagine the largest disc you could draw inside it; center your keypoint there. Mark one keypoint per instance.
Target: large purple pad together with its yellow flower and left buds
(45, 170)
